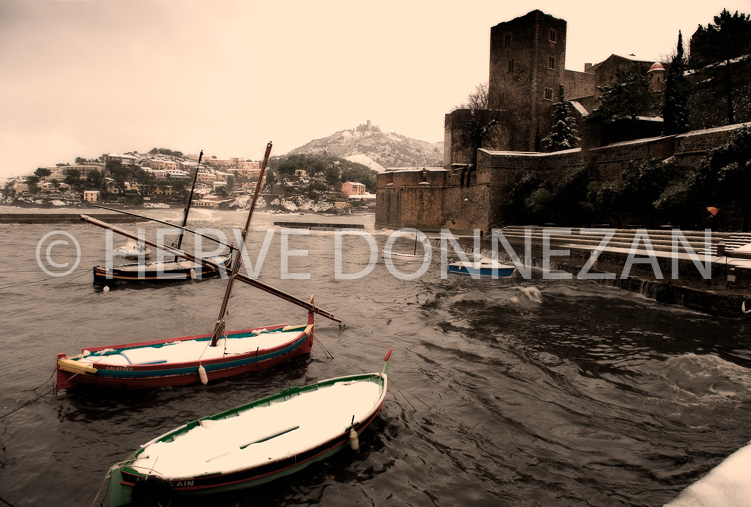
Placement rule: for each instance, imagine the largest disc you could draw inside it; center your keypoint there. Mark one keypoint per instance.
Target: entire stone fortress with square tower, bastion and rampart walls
(527, 65)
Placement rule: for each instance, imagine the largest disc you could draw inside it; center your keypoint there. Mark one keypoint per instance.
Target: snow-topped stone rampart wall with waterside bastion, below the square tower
(468, 198)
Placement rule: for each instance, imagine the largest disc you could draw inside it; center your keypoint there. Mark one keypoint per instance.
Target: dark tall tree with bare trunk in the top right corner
(714, 48)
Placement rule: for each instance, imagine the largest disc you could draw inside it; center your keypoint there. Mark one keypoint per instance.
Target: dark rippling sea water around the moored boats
(502, 392)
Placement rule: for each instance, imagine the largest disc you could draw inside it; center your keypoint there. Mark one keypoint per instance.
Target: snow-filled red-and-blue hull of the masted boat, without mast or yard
(185, 360)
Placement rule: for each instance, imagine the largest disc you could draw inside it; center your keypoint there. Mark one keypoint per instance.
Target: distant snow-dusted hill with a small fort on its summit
(367, 145)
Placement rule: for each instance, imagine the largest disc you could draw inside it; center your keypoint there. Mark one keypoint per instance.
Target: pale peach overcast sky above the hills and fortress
(83, 78)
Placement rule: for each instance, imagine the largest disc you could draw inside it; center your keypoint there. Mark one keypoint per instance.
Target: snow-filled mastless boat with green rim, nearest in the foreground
(251, 444)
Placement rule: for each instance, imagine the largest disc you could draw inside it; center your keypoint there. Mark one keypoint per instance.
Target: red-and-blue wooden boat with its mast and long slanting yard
(192, 359)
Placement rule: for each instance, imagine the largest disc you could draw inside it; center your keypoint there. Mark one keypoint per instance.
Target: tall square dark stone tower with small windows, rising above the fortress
(527, 60)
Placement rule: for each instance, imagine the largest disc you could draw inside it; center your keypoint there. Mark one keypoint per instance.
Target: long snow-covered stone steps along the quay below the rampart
(589, 238)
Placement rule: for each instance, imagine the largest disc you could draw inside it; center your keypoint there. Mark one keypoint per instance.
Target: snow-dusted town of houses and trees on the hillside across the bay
(162, 178)
